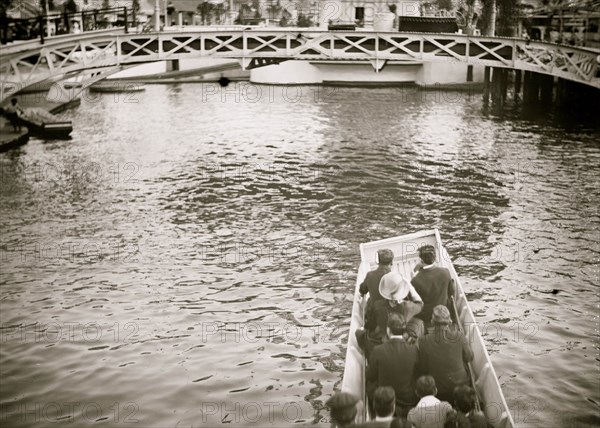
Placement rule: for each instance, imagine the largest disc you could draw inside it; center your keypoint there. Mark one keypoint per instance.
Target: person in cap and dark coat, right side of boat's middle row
(444, 353)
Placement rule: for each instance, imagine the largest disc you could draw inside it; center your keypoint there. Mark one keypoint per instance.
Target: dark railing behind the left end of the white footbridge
(14, 29)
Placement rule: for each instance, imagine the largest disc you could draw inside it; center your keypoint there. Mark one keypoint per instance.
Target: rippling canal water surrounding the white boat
(189, 257)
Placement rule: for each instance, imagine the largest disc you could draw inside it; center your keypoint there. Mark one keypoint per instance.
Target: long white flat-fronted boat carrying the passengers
(406, 257)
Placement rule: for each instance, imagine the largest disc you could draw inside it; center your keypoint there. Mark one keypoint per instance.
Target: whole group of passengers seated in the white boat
(414, 352)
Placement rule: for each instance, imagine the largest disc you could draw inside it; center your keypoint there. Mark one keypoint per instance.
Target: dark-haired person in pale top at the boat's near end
(429, 411)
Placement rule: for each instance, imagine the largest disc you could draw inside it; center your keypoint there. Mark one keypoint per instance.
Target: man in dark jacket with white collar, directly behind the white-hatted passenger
(394, 363)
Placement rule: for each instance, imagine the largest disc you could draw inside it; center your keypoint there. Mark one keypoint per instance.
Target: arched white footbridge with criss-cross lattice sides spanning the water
(26, 63)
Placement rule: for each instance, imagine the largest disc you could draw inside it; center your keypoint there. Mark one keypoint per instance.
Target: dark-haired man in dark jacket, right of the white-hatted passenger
(433, 283)
